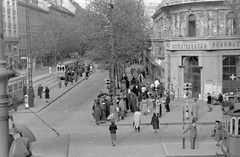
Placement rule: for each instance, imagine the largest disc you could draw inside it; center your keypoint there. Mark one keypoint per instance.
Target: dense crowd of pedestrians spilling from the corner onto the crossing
(136, 97)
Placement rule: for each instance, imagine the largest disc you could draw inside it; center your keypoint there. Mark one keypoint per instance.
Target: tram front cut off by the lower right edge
(231, 130)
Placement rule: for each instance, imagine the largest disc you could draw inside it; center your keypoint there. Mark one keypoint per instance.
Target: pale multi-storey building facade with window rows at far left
(10, 31)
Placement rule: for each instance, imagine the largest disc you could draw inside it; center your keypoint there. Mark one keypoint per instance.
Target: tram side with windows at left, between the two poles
(16, 86)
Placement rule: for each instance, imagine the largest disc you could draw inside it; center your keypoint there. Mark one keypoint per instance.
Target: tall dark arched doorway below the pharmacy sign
(192, 75)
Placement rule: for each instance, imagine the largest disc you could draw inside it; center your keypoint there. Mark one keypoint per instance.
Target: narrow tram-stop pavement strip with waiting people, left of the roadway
(55, 93)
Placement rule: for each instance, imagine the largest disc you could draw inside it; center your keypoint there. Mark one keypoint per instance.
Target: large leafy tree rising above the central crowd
(129, 28)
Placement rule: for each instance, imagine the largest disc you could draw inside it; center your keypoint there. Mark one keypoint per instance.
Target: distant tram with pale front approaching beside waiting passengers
(62, 67)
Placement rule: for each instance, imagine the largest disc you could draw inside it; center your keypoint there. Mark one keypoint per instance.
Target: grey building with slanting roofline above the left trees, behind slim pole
(38, 11)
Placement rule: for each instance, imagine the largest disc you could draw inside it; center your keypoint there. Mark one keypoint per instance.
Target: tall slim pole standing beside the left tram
(30, 83)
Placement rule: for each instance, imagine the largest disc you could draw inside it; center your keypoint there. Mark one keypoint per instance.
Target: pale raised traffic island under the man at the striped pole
(203, 149)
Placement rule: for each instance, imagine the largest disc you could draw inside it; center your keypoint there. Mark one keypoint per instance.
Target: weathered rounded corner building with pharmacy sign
(195, 43)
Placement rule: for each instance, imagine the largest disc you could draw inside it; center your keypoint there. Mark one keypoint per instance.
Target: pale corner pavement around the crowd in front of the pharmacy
(176, 106)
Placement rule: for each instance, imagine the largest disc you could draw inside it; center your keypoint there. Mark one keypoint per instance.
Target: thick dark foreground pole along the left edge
(5, 74)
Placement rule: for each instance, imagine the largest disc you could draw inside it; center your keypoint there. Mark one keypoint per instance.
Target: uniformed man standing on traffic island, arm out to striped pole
(193, 134)
